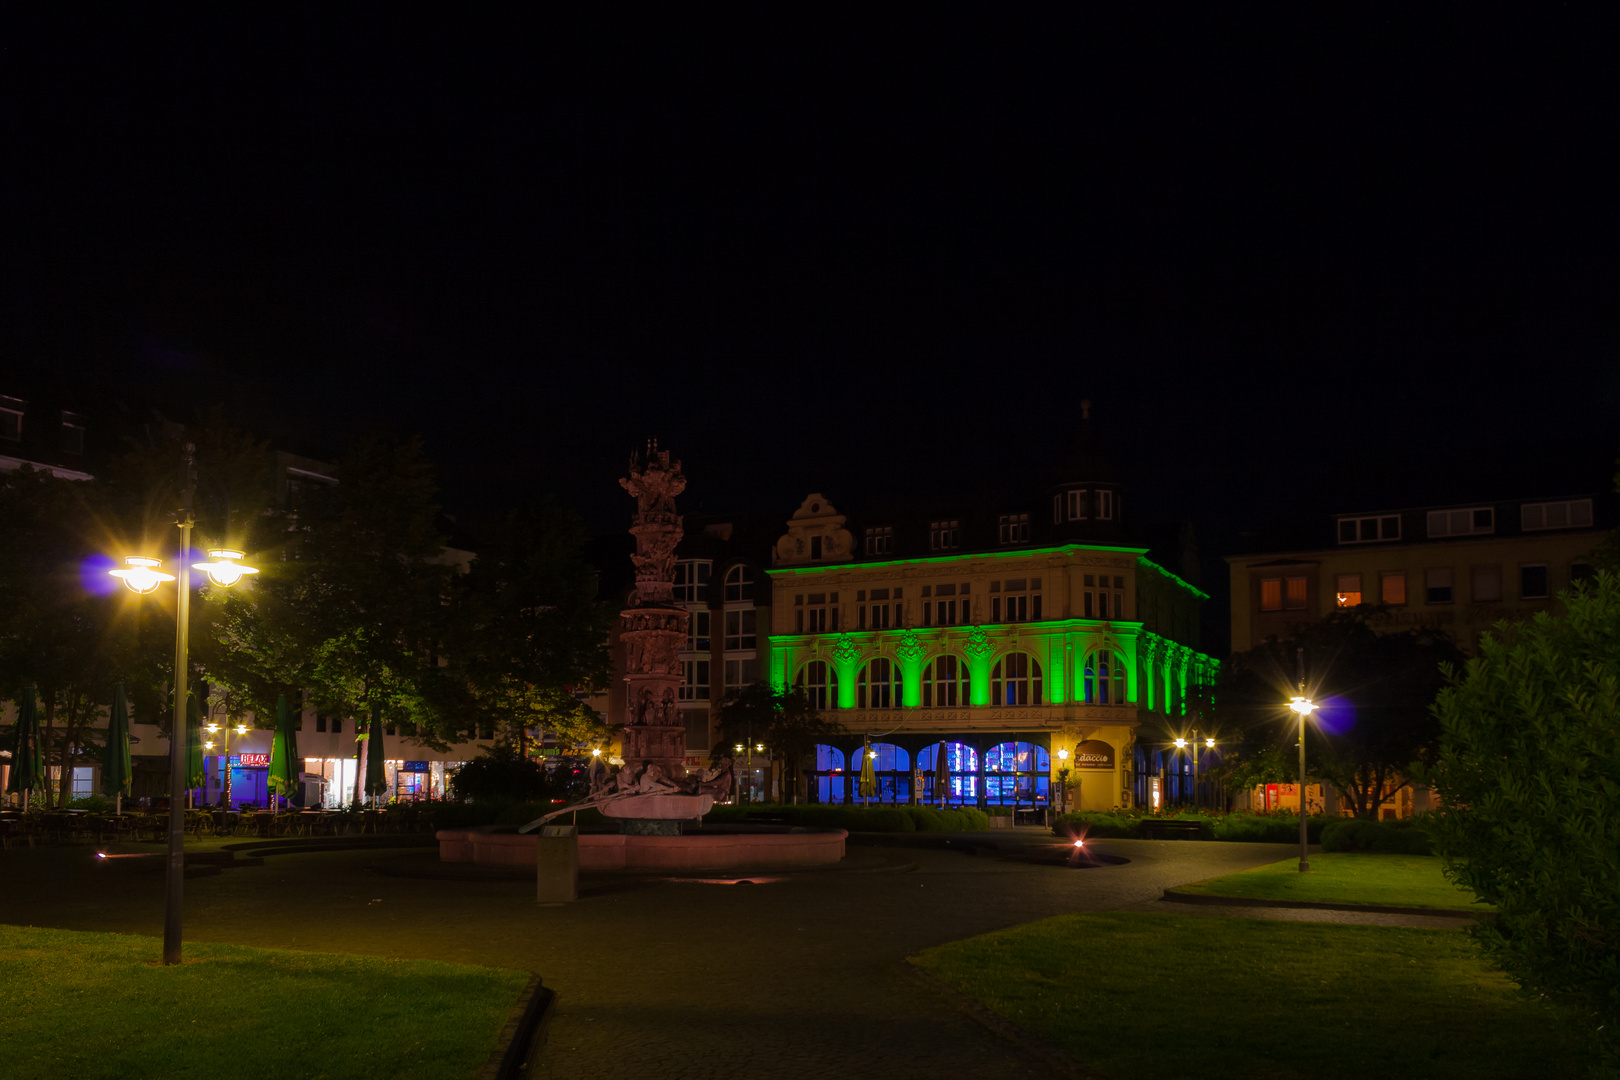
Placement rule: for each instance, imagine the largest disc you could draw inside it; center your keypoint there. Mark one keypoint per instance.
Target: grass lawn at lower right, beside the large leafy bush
(1146, 997)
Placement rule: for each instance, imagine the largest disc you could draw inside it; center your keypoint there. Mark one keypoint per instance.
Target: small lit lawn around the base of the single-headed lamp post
(1349, 878)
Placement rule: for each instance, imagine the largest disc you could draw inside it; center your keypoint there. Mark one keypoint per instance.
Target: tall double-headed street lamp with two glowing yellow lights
(143, 576)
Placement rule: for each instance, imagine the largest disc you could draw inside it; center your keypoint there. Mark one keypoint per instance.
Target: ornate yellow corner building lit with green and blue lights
(1033, 647)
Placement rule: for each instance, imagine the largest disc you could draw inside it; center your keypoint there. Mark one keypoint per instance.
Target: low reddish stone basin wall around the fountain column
(709, 849)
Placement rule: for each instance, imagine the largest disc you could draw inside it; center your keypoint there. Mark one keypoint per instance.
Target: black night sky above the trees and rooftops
(1302, 260)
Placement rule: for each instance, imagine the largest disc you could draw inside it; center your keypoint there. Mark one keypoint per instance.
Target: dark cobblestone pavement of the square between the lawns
(803, 977)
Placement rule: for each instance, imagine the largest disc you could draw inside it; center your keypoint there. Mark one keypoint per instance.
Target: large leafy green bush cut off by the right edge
(1530, 797)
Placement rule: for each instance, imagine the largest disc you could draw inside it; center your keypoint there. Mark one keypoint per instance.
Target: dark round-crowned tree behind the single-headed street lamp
(1375, 691)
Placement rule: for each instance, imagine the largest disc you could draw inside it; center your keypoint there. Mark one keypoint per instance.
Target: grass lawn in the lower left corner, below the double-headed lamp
(92, 1006)
